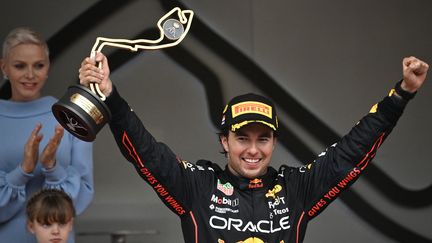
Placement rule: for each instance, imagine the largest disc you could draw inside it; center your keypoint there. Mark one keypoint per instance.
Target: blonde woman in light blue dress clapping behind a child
(31, 155)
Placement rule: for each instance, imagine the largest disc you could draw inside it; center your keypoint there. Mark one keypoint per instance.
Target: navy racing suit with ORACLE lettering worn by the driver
(216, 206)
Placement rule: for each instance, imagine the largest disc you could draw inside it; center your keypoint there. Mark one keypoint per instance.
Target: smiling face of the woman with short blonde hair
(27, 67)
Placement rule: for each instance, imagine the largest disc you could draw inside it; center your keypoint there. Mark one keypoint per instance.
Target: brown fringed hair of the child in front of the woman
(50, 206)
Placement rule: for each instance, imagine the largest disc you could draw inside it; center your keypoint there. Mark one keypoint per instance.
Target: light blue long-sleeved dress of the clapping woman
(72, 173)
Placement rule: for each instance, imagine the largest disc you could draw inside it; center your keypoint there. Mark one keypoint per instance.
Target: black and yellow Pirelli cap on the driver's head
(248, 108)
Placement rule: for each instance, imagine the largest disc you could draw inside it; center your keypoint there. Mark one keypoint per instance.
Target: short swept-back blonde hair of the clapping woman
(23, 35)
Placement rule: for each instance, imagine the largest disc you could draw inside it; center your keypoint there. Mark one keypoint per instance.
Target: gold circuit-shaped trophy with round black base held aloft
(82, 111)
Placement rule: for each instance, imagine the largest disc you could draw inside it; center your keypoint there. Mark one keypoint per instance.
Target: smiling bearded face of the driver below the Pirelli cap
(249, 150)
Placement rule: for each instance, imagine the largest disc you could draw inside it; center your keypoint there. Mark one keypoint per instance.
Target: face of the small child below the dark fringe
(50, 233)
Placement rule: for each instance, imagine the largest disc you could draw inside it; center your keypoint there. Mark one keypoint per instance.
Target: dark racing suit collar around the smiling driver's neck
(262, 182)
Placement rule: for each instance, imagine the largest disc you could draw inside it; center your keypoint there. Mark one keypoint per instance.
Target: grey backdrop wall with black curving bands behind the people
(324, 63)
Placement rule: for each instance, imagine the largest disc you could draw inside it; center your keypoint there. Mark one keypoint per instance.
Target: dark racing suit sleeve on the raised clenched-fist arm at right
(320, 182)
